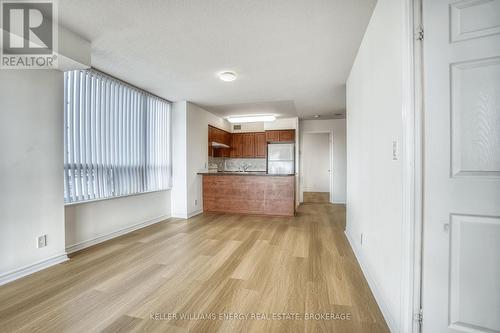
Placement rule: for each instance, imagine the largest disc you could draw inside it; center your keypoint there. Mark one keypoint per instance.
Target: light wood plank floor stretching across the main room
(212, 264)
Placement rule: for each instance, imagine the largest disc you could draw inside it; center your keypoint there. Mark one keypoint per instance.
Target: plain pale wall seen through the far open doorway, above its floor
(316, 162)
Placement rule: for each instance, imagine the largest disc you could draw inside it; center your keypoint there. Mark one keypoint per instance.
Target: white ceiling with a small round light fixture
(292, 57)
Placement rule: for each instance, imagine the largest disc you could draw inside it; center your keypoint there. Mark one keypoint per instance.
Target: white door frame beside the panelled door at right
(412, 164)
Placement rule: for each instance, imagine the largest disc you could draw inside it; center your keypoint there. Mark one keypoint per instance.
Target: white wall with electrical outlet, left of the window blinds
(31, 167)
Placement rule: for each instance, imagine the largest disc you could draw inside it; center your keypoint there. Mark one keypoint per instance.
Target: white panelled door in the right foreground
(461, 240)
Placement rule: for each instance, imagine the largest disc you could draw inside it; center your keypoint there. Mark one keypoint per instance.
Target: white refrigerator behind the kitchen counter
(280, 158)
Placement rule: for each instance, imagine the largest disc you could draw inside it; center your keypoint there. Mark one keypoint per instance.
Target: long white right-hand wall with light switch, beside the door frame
(374, 184)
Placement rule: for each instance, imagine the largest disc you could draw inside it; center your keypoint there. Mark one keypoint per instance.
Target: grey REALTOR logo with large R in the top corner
(29, 36)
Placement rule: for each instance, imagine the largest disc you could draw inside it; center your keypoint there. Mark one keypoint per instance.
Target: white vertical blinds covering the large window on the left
(117, 138)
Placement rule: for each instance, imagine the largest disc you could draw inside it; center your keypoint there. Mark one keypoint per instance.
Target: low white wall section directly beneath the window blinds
(93, 222)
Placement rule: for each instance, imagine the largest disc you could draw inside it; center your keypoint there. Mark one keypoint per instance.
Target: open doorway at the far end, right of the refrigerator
(316, 180)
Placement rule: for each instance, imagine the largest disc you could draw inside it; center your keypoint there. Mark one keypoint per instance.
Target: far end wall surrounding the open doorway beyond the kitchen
(339, 164)
